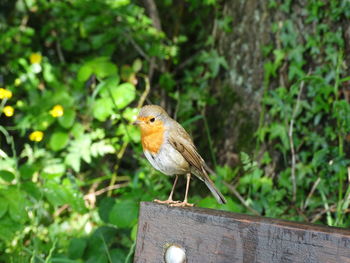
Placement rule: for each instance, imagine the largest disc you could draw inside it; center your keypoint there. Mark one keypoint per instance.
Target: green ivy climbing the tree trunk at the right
(307, 116)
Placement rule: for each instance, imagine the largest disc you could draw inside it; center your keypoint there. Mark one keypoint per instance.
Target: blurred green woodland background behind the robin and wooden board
(263, 87)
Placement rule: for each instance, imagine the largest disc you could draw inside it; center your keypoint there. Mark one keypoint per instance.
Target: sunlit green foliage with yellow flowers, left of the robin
(72, 79)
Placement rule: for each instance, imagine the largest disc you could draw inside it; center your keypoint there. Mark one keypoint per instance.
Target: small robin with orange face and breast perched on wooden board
(170, 150)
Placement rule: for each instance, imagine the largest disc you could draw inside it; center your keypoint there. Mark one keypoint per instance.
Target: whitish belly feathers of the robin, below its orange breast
(168, 160)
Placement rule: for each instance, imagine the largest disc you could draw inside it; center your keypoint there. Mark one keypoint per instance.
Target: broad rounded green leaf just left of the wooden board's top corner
(124, 214)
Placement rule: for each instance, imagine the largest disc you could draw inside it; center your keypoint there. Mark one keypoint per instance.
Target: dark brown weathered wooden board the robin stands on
(209, 235)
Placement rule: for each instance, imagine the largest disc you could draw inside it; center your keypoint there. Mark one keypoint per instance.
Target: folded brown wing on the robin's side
(182, 142)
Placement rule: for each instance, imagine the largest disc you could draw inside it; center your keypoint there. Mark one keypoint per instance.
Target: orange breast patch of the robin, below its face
(152, 136)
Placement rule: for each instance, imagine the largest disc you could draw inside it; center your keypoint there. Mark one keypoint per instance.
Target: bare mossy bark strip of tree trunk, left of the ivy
(239, 92)
